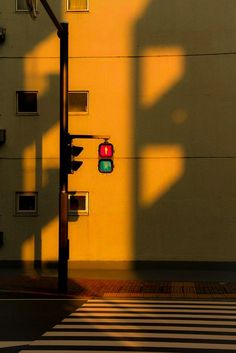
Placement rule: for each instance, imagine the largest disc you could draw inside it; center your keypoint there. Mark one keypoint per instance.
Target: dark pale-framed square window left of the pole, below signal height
(26, 203)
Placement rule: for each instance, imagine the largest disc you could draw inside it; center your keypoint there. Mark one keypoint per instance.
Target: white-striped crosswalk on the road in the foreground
(177, 326)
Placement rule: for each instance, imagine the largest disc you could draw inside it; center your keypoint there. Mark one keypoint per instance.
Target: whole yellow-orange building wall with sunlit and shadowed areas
(161, 78)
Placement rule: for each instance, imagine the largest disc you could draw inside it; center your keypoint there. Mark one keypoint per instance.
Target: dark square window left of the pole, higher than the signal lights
(27, 102)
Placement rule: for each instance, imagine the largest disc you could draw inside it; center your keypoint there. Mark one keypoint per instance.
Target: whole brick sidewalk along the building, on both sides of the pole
(87, 288)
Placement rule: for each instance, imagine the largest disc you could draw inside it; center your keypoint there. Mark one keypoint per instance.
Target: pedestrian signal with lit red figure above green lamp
(105, 154)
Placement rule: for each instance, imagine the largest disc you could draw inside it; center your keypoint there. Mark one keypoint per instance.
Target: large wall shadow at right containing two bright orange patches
(184, 113)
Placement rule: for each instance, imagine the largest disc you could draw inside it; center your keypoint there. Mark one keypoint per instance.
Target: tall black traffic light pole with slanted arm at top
(63, 180)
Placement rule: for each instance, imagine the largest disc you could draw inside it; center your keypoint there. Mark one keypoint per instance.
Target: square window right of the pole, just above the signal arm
(78, 102)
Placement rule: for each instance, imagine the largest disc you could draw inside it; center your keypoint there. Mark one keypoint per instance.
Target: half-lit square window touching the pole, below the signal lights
(78, 203)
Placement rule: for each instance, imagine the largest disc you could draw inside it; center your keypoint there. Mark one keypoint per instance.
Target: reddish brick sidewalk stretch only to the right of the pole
(161, 289)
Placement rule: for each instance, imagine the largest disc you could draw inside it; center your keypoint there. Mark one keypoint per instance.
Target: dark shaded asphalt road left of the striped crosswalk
(24, 320)
